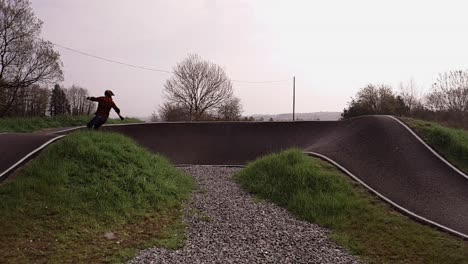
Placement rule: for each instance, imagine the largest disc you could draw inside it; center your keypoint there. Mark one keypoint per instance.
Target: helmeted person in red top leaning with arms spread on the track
(105, 103)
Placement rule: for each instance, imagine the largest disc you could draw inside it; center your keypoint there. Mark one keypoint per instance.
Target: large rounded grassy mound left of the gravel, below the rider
(59, 207)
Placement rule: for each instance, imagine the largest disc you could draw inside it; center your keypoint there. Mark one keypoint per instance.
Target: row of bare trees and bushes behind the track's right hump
(447, 100)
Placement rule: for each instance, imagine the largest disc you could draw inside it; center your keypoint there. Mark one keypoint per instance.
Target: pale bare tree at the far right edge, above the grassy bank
(450, 92)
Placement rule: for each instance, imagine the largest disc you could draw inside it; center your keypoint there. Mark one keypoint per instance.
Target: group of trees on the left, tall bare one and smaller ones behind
(28, 65)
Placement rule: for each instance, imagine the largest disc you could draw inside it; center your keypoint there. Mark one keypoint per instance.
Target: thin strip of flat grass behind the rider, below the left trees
(30, 124)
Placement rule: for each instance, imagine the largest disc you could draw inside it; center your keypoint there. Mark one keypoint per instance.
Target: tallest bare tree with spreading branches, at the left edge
(24, 59)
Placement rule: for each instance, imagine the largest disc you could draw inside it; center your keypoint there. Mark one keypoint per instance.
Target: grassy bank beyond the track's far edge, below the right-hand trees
(451, 143)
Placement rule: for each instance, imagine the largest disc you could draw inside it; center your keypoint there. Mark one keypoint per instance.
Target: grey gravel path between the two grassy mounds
(227, 225)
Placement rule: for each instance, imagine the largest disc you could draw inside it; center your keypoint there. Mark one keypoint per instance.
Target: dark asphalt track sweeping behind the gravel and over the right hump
(377, 149)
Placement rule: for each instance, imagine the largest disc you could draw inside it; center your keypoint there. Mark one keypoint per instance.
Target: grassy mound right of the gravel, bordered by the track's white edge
(317, 192)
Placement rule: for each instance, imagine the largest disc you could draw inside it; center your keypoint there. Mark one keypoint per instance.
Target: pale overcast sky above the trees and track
(332, 47)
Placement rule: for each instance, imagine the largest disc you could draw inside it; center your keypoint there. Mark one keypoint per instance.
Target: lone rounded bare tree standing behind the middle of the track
(198, 86)
